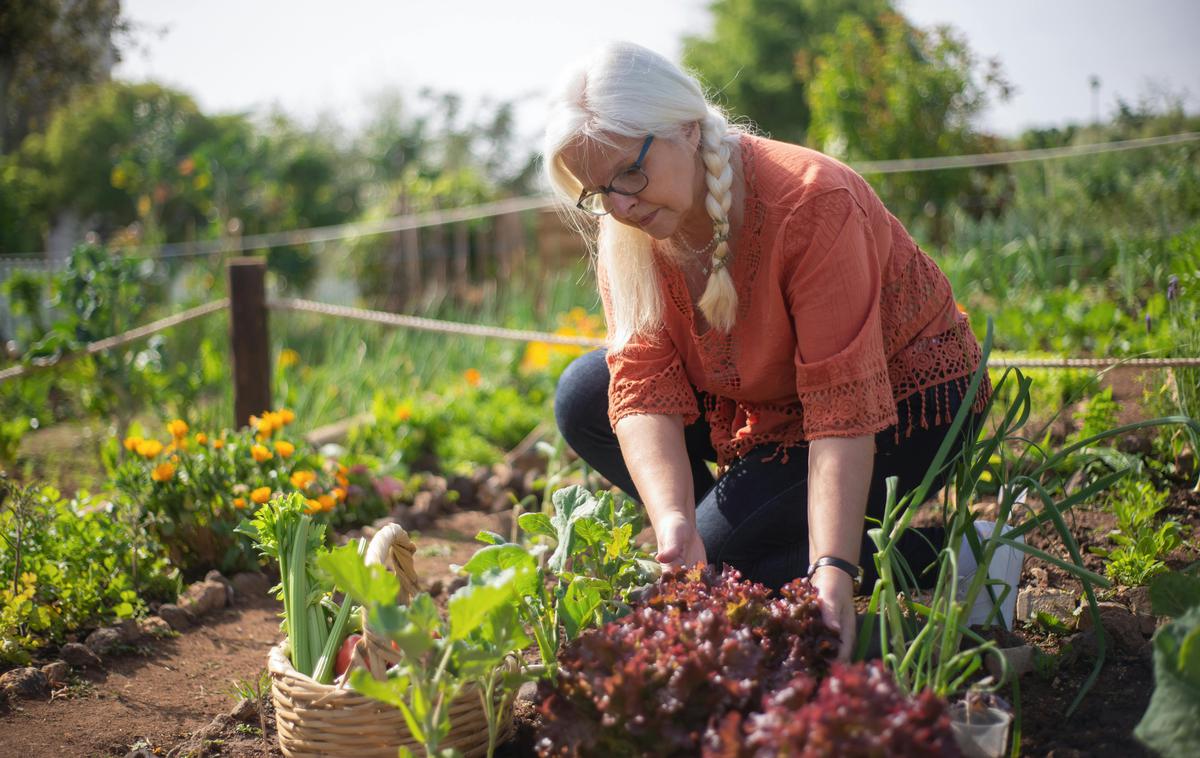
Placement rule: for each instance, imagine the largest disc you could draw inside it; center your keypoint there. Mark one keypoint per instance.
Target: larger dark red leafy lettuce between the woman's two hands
(662, 679)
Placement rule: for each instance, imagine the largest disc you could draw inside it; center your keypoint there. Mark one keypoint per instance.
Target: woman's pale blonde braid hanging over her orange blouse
(719, 304)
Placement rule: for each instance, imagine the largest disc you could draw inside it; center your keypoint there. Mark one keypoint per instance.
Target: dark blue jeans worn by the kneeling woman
(755, 518)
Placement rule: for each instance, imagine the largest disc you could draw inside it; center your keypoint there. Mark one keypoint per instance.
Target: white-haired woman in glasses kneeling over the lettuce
(765, 312)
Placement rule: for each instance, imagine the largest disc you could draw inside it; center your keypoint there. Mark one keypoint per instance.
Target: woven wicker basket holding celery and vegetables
(314, 719)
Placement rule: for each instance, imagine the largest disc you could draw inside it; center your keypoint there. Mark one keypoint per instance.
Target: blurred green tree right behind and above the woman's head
(760, 52)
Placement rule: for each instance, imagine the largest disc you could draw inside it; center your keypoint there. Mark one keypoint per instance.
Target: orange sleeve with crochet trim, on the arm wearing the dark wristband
(833, 294)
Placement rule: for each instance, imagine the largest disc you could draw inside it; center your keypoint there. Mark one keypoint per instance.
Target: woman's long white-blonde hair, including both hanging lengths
(627, 91)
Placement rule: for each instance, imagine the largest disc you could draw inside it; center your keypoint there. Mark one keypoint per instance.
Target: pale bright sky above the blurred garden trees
(315, 59)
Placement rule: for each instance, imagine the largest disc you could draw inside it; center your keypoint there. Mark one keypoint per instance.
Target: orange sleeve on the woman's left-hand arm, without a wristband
(646, 376)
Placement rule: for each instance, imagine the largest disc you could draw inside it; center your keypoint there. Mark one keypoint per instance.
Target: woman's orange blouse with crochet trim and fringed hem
(841, 320)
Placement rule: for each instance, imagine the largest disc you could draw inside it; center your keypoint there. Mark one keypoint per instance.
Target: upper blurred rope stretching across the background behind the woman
(514, 206)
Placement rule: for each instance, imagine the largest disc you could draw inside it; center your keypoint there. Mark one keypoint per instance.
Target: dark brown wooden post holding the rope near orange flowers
(249, 346)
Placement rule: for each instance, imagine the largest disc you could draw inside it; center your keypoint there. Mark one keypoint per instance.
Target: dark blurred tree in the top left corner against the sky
(49, 49)
